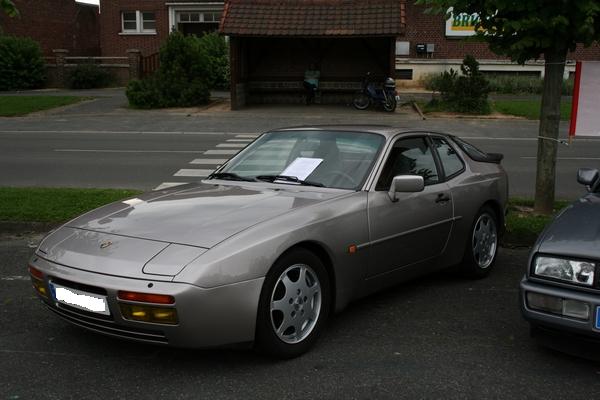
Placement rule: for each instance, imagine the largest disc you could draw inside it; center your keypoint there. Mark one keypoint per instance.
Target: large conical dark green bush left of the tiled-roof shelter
(182, 79)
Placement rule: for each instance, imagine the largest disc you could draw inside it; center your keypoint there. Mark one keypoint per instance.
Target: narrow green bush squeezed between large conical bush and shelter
(217, 52)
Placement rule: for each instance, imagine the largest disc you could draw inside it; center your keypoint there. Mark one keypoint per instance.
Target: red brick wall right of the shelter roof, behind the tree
(427, 28)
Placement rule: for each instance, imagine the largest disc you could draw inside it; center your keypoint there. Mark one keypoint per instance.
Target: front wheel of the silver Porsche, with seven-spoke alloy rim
(294, 305)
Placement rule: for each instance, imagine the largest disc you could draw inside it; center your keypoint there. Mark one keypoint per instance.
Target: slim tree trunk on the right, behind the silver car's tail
(548, 132)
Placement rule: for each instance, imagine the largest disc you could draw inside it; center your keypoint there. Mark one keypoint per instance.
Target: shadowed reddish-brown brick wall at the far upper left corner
(56, 24)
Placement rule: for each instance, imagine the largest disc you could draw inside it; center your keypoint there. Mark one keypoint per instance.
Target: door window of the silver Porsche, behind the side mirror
(409, 157)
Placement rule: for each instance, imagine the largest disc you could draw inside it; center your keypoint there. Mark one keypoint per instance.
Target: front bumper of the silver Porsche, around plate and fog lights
(212, 317)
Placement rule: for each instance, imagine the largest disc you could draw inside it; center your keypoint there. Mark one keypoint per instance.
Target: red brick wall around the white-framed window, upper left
(115, 45)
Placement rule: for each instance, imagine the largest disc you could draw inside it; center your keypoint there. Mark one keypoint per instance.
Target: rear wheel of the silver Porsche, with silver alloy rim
(482, 245)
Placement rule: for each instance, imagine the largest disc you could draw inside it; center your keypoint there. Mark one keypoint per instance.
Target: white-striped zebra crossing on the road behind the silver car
(206, 165)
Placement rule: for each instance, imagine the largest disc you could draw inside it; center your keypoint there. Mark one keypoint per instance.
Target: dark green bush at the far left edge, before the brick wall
(21, 64)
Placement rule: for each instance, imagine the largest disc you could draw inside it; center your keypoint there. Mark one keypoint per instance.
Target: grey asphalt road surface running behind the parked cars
(102, 144)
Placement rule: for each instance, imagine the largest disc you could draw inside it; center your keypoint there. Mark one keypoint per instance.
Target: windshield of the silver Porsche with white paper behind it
(318, 158)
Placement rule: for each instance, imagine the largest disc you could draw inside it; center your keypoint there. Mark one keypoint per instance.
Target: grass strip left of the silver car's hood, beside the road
(54, 205)
